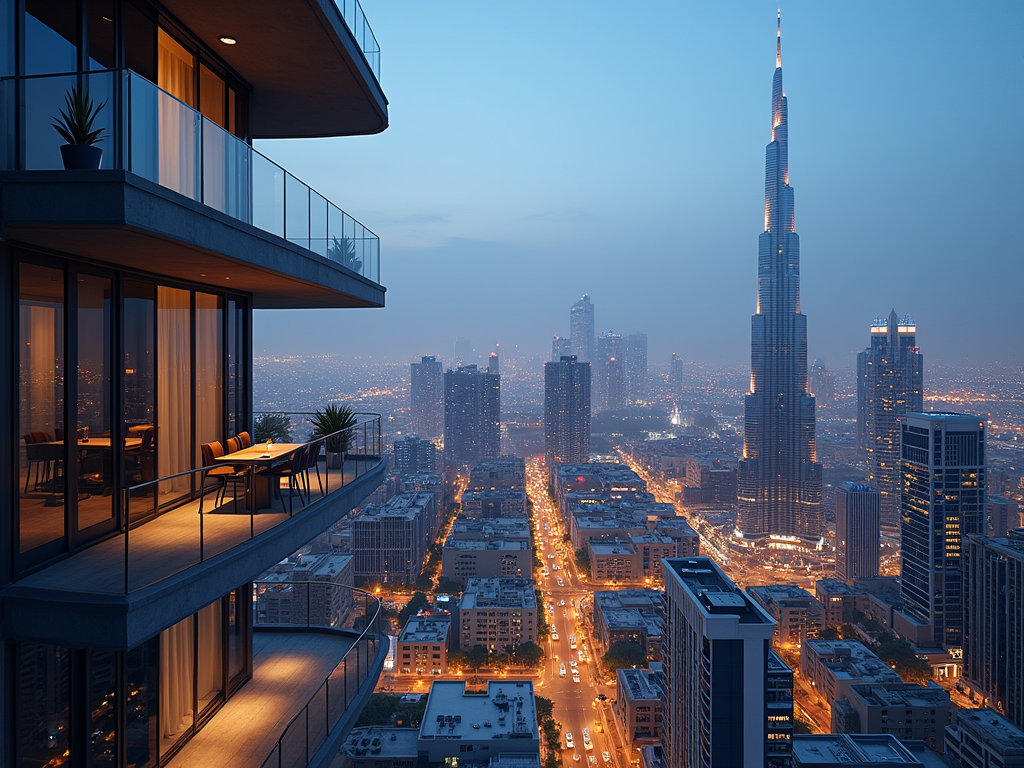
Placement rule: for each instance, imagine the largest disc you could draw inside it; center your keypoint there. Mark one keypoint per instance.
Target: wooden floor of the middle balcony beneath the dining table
(169, 544)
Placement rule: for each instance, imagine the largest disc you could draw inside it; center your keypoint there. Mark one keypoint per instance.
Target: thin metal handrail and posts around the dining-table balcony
(201, 492)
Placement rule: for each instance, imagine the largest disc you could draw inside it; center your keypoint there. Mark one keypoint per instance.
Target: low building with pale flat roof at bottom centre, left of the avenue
(461, 727)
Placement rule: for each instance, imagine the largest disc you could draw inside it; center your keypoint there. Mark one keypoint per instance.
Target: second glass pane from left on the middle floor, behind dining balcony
(96, 452)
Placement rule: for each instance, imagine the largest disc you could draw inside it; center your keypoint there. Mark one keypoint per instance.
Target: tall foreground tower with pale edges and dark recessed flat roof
(716, 665)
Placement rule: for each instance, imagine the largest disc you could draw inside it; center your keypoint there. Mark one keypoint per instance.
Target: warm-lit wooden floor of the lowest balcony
(288, 668)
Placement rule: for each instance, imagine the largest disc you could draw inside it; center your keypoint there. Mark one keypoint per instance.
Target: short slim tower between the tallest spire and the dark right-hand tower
(858, 535)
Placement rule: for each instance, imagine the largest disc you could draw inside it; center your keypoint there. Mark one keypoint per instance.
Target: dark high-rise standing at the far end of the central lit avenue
(567, 411)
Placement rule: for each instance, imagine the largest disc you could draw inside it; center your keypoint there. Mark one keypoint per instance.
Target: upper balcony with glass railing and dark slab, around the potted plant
(177, 195)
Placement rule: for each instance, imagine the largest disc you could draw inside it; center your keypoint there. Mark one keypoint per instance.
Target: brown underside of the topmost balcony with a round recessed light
(308, 73)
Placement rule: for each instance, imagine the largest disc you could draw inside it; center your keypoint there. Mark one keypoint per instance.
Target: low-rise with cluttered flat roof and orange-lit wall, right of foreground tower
(836, 666)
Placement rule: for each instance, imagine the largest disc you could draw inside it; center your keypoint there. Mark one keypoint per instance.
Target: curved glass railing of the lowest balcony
(322, 606)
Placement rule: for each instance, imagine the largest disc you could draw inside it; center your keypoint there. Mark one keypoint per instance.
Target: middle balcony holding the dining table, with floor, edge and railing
(184, 547)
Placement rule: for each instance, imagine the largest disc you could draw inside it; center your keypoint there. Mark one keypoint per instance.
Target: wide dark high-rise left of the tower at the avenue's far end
(473, 415)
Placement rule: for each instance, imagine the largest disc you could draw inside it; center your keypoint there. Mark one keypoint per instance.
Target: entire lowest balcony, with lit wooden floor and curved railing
(313, 673)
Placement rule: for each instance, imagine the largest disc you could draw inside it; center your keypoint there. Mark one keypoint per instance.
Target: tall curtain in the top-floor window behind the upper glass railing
(179, 125)
